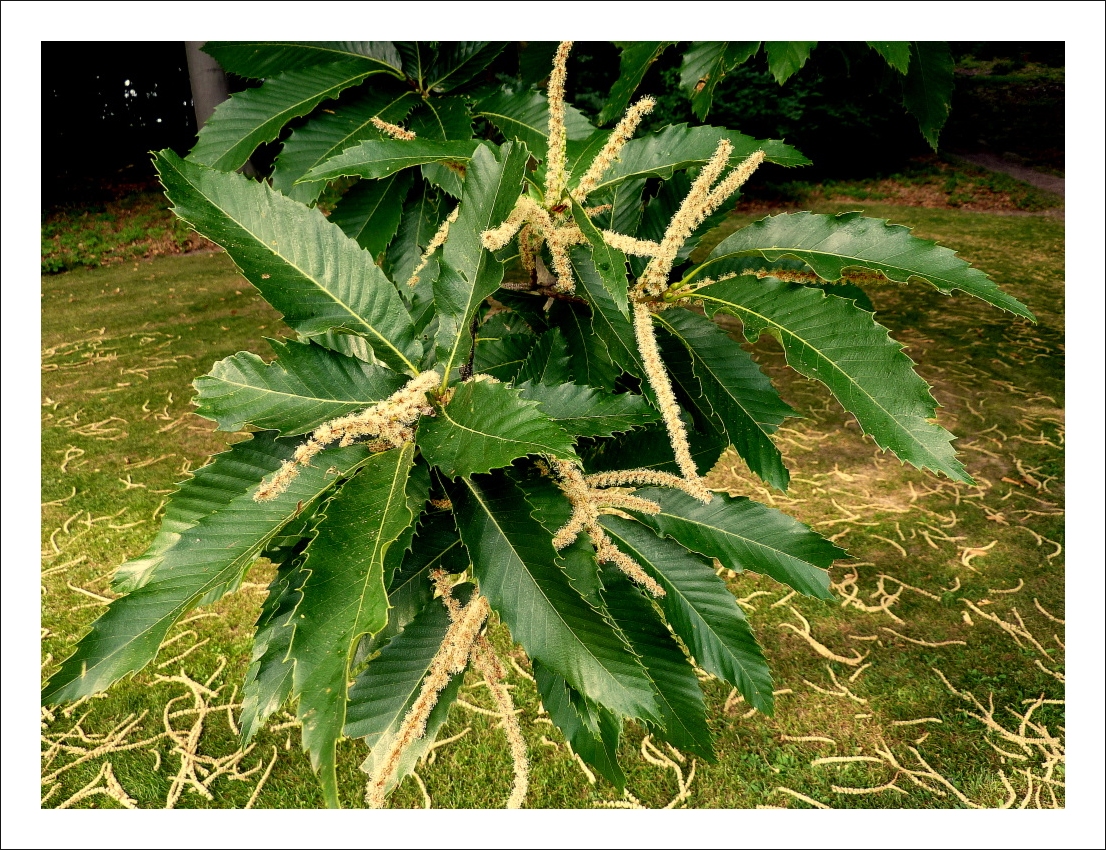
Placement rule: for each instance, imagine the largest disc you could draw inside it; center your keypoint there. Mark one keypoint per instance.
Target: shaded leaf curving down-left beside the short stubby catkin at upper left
(330, 132)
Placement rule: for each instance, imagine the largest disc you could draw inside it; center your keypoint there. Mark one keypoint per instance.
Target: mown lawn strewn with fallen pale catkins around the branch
(122, 345)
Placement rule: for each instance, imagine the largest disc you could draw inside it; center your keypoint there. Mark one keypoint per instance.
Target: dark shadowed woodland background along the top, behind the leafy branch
(117, 101)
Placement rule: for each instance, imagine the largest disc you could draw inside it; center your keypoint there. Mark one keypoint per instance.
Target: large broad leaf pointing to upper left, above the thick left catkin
(300, 263)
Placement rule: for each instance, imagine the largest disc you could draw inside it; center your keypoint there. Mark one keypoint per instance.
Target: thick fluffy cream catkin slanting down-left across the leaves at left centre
(390, 422)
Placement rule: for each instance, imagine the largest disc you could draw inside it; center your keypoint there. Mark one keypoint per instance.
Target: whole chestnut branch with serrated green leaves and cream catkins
(441, 444)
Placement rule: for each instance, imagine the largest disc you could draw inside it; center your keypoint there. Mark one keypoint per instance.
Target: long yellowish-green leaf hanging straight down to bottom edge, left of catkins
(345, 597)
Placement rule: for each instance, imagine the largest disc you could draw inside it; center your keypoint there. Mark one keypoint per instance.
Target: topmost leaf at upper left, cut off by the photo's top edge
(263, 59)
